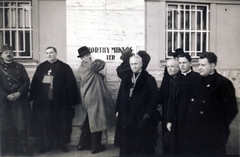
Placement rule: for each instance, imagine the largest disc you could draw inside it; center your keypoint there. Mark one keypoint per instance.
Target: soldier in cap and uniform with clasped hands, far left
(14, 104)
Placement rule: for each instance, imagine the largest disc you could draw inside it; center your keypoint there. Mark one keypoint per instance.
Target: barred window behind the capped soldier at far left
(16, 27)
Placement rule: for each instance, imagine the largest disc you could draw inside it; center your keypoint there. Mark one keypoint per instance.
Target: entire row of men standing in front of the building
(197, 108)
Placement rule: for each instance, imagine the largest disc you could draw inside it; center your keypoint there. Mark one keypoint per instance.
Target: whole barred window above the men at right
(187, 26)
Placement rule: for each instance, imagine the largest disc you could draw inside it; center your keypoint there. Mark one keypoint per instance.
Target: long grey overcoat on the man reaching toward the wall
(97, 102)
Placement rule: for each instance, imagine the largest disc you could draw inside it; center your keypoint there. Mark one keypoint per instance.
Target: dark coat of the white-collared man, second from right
(180, 94)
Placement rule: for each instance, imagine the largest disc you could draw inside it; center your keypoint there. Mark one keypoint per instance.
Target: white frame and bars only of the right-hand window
(169, 52)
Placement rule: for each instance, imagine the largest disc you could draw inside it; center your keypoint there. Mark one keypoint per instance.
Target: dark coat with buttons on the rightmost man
(211, 110)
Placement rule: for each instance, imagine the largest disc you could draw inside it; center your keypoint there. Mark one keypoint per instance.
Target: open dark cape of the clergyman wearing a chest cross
(65, 94)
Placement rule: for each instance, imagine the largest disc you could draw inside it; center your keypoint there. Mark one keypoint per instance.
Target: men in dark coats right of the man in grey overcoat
(196, 108)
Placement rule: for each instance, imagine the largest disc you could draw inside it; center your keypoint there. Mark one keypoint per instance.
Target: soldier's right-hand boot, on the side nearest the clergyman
(23, 150)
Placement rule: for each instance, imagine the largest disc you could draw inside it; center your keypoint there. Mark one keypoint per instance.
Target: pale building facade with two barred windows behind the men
(109, 26)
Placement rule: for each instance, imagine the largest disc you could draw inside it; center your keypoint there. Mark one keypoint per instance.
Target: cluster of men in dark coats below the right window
(197, 107)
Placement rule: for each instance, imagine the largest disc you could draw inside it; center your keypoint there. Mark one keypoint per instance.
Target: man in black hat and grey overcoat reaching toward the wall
(98, 107)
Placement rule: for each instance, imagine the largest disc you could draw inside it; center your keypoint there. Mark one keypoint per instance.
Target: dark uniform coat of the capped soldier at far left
(18, 72)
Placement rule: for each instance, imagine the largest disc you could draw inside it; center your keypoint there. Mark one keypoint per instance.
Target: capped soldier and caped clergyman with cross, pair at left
(53, 91)
